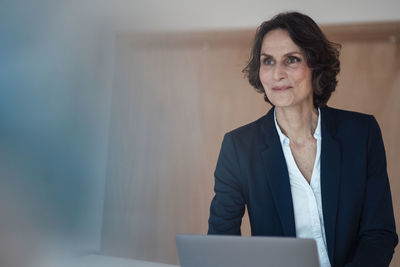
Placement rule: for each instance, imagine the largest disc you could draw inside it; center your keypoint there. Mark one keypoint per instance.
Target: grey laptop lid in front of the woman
(238, 251)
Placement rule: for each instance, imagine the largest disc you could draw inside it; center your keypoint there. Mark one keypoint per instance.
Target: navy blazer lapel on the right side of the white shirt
(330, 177)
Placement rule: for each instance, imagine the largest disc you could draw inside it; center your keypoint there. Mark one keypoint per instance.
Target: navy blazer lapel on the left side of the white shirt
(277, 175)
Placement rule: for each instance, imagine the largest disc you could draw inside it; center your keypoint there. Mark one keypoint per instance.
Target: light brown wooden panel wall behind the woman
(174, 97)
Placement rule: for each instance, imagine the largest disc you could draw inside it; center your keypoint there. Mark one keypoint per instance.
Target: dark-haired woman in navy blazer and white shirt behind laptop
(305, 169)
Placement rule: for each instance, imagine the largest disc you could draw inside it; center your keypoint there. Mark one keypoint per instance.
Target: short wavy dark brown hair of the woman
(322, 56)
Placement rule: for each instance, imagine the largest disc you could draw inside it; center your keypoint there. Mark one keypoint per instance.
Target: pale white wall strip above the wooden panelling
(222, 14)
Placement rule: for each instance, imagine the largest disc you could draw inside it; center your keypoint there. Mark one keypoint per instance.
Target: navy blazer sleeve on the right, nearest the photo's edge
(377, 235)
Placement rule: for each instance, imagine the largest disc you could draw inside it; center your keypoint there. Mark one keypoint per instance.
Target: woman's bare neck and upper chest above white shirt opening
(298, 123)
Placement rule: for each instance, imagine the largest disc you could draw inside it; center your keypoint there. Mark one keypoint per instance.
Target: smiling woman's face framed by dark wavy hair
(284, 72)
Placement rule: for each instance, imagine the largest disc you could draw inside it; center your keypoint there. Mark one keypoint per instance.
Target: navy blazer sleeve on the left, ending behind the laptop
(228, 205)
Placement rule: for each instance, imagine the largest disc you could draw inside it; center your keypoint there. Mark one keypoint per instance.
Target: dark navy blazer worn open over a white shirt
(356, 200)
